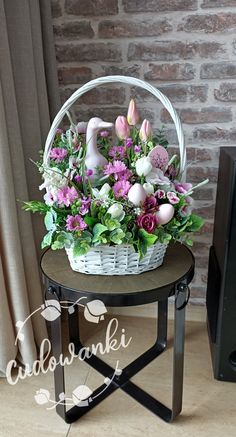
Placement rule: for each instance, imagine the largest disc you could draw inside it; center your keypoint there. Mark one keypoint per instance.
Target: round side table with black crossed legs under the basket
(171, 279)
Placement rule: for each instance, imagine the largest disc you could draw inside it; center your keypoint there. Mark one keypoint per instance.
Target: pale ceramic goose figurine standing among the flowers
(94, 158)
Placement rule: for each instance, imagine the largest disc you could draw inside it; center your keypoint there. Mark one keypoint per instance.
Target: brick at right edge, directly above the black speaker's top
(217, 134)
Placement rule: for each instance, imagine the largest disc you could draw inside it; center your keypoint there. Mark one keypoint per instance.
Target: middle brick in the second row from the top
(127, 28)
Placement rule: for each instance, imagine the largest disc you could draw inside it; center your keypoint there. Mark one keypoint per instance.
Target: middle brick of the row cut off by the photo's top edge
(159, 5)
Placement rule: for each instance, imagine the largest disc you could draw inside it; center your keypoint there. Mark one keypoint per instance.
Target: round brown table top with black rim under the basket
(178, 264)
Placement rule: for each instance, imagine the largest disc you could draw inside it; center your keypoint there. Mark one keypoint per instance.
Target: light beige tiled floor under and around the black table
(209, 406)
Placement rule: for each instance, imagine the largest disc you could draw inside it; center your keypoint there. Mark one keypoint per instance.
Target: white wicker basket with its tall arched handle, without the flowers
(117, 260)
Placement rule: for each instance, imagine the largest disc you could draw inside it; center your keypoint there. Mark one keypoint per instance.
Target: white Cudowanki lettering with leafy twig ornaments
(82, 395)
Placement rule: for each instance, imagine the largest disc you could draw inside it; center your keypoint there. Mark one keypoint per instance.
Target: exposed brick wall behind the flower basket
(187, 48)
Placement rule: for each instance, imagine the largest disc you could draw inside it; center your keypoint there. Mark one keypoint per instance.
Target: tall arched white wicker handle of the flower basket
(112, 79)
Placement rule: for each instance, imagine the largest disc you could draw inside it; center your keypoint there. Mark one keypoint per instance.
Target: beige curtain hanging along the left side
(28, 99)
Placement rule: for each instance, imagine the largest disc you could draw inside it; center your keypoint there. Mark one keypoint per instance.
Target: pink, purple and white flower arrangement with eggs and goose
(114, 184)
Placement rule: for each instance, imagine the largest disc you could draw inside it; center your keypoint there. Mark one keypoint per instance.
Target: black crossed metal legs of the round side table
(123, 381)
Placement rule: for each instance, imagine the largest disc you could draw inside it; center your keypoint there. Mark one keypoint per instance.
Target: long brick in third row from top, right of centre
(173, 50)
